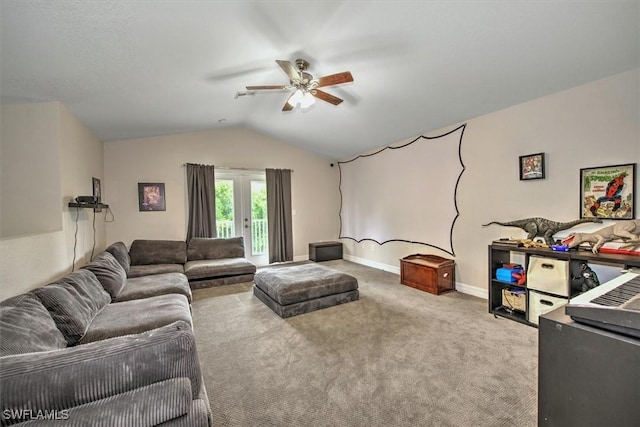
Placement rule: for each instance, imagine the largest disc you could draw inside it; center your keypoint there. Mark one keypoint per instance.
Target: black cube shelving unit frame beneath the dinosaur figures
(500, 254)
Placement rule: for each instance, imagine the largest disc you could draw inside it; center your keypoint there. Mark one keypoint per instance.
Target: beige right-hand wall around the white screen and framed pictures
(596, 124)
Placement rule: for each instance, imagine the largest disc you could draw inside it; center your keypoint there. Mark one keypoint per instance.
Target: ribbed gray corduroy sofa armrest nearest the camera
(62, 379)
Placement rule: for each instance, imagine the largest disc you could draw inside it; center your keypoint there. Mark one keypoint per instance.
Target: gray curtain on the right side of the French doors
(279, 218)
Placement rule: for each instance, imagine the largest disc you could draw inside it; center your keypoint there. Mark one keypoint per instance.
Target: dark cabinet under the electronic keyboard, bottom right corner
(586, 376)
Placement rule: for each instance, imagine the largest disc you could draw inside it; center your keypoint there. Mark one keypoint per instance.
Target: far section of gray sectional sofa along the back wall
(204, 261)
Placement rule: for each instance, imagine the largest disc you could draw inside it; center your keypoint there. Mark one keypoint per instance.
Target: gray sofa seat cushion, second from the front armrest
(158, 284)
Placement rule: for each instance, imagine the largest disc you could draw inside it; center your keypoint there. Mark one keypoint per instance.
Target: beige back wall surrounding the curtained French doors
(315, 197)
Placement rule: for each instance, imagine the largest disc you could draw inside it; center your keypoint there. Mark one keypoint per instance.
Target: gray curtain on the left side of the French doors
(202, 201)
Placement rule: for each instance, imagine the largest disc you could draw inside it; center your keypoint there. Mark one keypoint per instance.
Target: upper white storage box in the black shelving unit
(548, 275)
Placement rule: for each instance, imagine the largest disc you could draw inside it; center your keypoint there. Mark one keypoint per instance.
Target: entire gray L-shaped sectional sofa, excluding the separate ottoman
(109, 345)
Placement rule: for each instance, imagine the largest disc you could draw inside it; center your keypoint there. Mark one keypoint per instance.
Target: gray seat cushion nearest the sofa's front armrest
(137, 316)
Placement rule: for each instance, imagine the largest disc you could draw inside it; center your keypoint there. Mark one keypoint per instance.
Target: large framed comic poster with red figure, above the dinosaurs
(608, 192)
